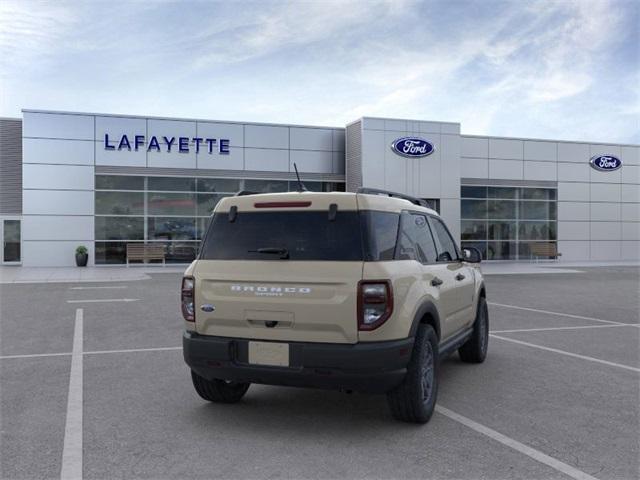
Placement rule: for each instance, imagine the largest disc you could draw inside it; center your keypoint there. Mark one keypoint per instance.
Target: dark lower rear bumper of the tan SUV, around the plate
(374, 367)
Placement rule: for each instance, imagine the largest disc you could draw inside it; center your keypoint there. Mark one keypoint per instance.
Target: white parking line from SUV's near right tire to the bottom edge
(515, 445)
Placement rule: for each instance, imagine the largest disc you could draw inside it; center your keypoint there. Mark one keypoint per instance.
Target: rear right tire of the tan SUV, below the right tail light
(415, 398)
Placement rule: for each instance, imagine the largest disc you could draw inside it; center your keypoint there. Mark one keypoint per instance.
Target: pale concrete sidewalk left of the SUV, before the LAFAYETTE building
(11, 274)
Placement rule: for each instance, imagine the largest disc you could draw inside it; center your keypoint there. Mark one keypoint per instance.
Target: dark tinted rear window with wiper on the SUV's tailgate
(302, 235)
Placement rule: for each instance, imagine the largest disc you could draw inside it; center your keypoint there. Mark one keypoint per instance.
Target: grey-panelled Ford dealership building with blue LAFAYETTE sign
(108, 181)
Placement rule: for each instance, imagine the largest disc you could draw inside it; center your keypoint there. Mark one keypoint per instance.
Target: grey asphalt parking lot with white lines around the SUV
(95, 385)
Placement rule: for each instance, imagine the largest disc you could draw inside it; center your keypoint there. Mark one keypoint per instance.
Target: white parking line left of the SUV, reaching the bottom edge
(72, 447)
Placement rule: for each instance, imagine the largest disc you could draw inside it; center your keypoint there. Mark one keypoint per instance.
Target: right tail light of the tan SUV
(375, 303)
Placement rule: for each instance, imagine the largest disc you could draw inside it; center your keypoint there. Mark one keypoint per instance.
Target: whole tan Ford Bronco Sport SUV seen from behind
(358, 291)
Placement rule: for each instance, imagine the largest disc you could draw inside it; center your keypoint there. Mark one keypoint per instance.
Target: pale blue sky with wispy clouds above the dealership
(537, 69)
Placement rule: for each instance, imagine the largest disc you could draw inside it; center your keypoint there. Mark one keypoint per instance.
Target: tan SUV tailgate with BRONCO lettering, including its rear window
(281, 270)
